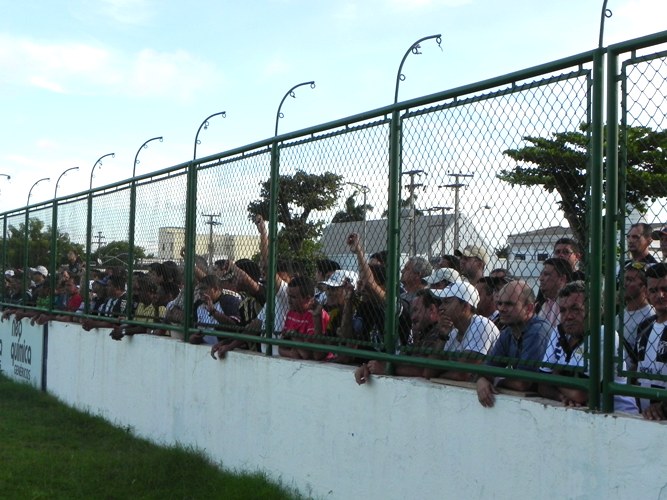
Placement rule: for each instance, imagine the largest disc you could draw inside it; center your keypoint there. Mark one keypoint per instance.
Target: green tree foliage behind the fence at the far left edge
(39, 245)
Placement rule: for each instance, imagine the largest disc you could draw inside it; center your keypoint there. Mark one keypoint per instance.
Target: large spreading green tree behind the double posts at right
(559, 164)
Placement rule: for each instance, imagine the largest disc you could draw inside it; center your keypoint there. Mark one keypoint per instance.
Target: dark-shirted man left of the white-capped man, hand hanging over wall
(426, 341)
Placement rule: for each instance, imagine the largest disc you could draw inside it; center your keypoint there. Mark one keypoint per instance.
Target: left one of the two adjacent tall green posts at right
(595, 269)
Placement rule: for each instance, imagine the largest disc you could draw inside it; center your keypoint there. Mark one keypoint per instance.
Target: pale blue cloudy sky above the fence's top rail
(83, 78)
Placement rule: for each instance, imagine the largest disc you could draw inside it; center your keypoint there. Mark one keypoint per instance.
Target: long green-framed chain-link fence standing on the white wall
(478, 186)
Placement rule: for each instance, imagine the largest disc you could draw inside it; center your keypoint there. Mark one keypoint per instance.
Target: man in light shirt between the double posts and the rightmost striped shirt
(637, 309)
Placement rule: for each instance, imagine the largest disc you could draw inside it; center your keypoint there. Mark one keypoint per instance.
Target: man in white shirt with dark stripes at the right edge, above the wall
(651, 344)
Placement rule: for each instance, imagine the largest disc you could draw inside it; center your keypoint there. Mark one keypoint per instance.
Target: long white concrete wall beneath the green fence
(310, 425)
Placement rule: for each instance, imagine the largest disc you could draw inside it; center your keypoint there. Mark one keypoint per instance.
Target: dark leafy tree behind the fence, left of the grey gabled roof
(299, 195)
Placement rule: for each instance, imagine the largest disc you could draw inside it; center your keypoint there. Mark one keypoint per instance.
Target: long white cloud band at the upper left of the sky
(76, 68)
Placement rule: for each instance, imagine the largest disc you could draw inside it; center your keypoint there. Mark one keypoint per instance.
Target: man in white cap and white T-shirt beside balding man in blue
(470, 335)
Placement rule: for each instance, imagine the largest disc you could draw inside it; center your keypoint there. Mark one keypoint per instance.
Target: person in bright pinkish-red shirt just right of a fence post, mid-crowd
(302, 315)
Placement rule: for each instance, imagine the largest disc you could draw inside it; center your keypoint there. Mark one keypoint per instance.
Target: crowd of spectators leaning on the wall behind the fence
(447, 309)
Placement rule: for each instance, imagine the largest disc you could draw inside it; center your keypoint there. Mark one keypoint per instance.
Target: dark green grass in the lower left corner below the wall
(48, 450)
